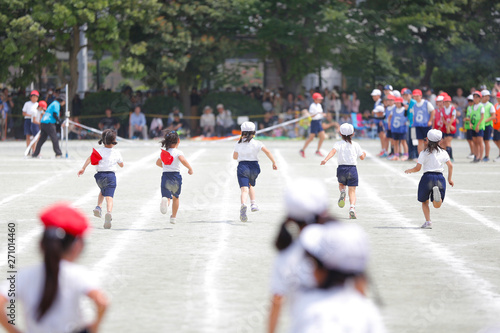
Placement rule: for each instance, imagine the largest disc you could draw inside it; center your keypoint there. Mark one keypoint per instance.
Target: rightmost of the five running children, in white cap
(432, 184)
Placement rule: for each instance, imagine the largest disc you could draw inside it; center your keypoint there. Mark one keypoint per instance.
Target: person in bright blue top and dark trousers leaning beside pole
(48, 126)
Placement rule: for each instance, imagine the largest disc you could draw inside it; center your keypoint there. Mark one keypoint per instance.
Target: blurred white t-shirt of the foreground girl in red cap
(65, 314)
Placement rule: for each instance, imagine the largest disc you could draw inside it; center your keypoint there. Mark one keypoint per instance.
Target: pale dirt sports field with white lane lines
(210, 272)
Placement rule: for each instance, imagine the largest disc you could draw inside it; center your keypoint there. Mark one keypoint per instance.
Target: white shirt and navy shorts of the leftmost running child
(106, 168)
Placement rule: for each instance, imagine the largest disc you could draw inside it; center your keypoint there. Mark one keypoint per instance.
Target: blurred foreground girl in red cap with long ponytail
(51, 292)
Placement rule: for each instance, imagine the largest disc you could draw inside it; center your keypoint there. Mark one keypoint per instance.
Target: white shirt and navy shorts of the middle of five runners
(248, 163)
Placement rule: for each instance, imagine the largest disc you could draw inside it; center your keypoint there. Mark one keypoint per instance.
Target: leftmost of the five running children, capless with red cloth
(105, 160)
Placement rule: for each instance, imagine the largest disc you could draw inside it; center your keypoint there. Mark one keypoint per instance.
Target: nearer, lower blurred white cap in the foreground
(339, 246)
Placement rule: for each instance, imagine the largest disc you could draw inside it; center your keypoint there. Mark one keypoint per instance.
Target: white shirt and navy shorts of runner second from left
(171, 179)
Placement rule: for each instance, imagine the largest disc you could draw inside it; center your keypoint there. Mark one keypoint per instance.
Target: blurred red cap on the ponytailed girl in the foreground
(63, 216)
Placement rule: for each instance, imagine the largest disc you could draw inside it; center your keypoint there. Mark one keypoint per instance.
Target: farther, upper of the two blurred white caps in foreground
(306, 198)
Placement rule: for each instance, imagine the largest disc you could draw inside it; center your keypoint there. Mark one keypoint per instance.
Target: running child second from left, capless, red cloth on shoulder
(171, 180)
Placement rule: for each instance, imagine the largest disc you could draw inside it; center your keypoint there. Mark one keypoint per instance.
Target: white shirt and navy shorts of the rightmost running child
(433, 167)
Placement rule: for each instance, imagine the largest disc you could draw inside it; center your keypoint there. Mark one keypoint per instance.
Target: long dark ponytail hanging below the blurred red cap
(55, 242)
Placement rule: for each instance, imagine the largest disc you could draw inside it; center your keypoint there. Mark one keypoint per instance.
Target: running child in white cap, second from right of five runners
(347, 173)
